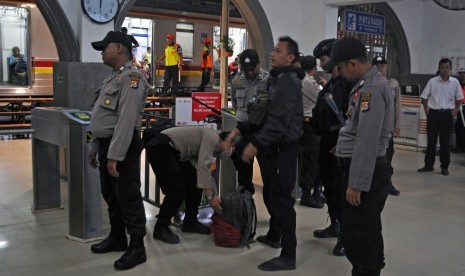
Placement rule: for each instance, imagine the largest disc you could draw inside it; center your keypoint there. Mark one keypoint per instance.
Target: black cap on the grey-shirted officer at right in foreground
(346, 49)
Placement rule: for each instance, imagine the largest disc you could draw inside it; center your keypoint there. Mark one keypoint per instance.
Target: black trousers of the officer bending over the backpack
(177, 179)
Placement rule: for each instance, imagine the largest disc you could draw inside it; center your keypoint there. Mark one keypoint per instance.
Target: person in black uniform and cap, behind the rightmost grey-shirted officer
(329, 116)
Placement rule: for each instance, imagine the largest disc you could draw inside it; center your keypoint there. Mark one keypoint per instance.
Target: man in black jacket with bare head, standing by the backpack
(277, 142)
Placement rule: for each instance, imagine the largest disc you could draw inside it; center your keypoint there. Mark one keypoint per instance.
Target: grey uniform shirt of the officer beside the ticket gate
(117, 109)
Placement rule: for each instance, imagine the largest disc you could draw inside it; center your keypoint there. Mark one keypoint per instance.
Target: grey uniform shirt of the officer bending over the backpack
(196, 143)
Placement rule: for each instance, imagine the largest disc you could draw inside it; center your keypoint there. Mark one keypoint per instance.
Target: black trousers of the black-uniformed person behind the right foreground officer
(330, 172)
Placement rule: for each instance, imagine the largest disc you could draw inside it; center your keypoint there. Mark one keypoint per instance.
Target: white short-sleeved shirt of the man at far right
(442, 94)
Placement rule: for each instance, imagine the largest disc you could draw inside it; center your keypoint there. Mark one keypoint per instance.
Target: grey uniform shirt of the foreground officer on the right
(368, 128)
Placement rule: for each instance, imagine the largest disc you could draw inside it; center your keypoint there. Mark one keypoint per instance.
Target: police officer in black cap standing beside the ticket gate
(115, 126)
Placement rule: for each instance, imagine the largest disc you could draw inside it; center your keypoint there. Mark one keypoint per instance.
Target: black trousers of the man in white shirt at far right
(438, 123)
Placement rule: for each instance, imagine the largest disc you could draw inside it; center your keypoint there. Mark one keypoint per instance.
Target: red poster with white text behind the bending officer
(201, 101)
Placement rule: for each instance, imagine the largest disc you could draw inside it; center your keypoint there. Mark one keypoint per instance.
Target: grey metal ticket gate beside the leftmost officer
(68, 128)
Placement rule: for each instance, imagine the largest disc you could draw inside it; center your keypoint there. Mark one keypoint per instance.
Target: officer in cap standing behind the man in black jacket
(244, 87)
